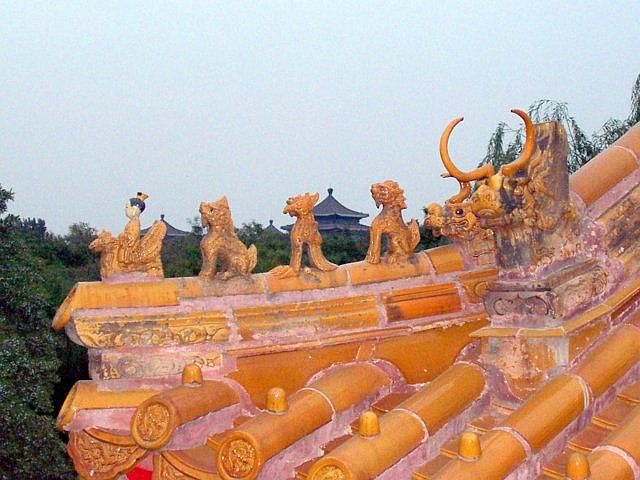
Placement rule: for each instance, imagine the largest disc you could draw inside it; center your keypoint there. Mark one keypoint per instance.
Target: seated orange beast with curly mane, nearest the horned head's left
(401, 238)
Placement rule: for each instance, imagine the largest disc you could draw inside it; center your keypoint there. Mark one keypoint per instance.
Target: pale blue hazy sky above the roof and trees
(189, 101)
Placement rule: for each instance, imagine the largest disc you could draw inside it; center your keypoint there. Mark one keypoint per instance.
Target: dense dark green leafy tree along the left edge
(30, 447)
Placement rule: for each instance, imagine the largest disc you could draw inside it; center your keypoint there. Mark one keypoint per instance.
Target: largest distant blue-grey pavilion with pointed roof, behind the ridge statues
(334, 218)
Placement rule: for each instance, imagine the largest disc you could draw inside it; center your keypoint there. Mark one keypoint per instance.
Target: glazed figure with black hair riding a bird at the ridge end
(129, 252)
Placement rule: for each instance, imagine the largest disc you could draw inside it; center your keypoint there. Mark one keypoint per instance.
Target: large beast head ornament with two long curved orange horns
(526, 204)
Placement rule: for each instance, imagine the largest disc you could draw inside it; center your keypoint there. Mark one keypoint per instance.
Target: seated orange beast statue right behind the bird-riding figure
(221, 244)
